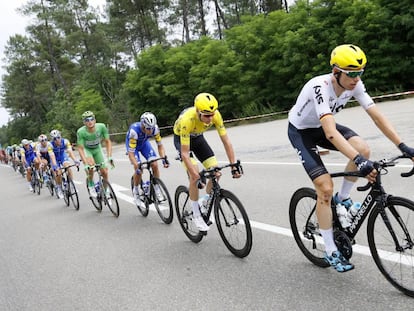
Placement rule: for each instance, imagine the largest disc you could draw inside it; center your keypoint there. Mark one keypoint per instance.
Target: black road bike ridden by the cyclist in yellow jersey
(230, 216)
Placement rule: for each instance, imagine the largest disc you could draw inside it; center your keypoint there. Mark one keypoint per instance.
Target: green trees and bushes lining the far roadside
(71, 61)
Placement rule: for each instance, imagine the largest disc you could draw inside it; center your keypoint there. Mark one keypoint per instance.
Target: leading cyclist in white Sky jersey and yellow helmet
(311, 124)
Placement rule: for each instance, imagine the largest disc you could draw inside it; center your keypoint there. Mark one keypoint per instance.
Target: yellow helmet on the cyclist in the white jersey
(348, 57)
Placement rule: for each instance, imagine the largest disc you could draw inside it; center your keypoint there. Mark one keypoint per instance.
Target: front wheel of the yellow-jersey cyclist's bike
(233, 224)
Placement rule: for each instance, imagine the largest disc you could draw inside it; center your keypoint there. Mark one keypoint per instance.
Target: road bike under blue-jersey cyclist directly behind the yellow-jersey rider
(153, 191)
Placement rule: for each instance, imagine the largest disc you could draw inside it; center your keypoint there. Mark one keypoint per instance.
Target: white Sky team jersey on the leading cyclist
(318, 98)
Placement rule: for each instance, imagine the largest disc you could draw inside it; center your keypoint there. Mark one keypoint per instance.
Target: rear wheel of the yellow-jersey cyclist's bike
(185, 213)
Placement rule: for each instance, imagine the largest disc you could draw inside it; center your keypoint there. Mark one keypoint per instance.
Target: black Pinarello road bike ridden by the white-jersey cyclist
(390, 228)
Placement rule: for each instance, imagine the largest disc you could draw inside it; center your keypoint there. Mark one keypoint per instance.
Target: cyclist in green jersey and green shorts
(89, 138)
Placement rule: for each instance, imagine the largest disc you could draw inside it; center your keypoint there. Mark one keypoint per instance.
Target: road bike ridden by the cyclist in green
(105, 194)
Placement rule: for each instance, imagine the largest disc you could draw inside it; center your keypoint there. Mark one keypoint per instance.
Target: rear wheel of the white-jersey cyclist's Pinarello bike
(305, 225)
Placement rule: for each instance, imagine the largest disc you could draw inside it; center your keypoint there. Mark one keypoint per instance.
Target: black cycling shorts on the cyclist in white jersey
(306, 143)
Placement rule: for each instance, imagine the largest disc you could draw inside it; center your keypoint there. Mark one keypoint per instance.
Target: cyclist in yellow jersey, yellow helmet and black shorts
(189, 141)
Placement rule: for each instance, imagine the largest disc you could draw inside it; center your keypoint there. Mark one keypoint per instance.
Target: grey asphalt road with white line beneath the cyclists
(55, 258)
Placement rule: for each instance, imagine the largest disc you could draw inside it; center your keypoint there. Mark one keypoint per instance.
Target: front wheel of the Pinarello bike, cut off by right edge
(396, 265)
